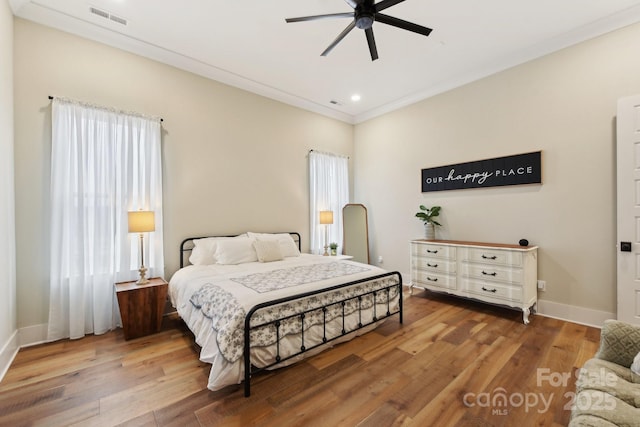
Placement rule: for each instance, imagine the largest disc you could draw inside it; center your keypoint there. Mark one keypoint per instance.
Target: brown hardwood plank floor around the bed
(449, 364)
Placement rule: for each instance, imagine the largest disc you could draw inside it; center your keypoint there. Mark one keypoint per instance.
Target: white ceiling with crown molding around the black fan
(248, 44)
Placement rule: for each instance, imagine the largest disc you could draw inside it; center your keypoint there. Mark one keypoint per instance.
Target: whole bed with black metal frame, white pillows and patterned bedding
(253, 302)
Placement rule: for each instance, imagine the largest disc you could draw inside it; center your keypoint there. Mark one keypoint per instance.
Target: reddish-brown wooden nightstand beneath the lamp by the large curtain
(141, 306)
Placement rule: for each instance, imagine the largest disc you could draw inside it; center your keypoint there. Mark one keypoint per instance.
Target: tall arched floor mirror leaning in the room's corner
(356, 233)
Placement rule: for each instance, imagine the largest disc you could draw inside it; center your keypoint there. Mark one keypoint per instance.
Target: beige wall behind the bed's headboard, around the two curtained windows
(233, 161)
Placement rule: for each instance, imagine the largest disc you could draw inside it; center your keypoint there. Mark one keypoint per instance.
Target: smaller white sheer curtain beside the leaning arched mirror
(329, 191)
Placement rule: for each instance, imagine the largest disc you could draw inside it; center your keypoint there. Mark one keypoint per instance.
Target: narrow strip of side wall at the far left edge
(8, 343)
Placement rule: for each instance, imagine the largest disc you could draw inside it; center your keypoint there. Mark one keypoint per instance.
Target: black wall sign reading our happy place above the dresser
(500, 171)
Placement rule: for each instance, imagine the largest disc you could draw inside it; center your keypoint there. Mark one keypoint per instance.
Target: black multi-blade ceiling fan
(365, 13)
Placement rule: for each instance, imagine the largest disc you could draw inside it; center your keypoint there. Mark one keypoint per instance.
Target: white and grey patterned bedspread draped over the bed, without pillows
(195, 291)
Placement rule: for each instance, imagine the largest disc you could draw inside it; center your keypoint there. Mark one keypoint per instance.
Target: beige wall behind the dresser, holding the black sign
(563, 104)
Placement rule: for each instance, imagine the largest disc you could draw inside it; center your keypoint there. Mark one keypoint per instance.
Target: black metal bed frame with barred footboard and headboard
(187, 245)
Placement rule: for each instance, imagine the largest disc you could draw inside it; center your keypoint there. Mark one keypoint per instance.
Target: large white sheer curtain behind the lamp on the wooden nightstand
(103, 164)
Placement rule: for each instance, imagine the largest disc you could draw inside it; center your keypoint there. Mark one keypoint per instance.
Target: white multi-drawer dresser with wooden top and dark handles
(490, 272)
